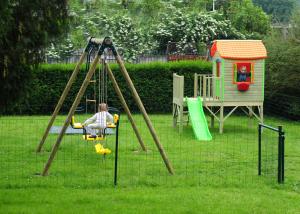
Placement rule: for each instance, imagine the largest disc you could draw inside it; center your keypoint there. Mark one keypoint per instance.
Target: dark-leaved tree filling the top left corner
(26, 27)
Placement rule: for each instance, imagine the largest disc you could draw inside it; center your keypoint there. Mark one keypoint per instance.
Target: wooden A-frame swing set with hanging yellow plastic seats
(101, 46)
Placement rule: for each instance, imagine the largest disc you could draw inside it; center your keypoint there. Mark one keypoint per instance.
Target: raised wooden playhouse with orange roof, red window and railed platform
(237, 80)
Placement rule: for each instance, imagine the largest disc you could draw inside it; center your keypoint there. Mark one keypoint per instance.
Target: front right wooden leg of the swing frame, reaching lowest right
(145, 115)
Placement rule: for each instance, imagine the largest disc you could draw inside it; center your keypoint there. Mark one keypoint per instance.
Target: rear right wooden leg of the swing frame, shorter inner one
(125, 106)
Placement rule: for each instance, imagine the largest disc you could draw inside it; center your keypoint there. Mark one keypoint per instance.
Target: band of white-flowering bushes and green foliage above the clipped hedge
(148, 26)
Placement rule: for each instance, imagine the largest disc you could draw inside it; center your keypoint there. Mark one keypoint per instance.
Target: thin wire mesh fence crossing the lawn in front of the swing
(230, 158)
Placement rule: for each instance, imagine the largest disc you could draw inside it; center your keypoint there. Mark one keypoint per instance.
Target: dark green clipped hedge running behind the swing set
(153, 82)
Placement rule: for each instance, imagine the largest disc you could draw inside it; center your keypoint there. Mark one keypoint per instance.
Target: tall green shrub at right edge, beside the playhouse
(282, 78)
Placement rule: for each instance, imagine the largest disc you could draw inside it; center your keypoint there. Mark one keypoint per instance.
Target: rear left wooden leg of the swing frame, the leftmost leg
(61, 100)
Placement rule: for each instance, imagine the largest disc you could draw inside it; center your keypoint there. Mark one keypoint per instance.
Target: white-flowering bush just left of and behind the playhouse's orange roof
(192, 28)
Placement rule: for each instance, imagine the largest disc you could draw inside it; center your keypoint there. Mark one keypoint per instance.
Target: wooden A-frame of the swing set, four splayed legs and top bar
(106, 43)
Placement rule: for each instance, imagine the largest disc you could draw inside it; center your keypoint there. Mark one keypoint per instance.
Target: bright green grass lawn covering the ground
(219, 176)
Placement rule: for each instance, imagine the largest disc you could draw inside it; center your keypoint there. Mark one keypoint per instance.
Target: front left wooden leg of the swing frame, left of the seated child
(70, 114)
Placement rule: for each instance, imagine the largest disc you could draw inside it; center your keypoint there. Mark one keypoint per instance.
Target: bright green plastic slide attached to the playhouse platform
(198, 119)
